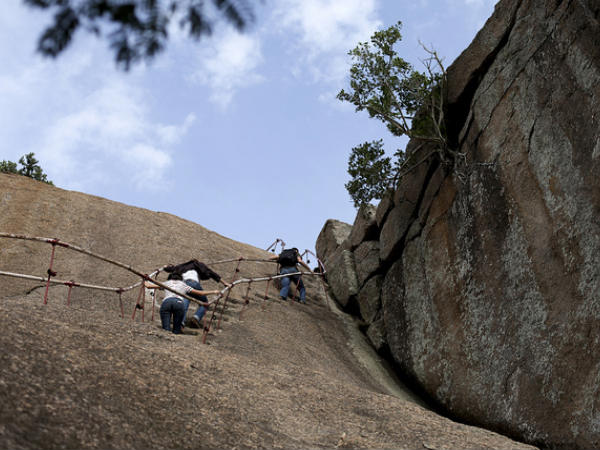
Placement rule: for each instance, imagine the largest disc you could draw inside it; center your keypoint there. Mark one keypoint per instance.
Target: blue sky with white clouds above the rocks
(240, 133)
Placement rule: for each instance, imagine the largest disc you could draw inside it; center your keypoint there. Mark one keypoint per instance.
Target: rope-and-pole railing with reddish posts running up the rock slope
(224, 293)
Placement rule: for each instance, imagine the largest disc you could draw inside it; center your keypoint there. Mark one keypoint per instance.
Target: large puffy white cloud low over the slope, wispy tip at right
(111, 132)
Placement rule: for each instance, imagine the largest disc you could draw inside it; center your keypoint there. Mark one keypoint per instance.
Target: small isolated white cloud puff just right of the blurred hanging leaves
(228, 64)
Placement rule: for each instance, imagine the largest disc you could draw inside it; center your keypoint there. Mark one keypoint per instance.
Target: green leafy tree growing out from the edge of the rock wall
(409, 102)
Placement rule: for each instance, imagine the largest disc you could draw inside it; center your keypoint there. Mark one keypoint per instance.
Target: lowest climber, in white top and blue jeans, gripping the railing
(173, 304)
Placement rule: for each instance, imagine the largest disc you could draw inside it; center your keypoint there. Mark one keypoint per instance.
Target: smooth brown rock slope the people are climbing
(278, 375)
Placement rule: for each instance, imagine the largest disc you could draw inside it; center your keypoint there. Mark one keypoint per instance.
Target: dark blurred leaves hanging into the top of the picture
(137, 29)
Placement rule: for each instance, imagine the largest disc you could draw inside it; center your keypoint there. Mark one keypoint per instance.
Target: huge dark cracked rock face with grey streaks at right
(490, 298)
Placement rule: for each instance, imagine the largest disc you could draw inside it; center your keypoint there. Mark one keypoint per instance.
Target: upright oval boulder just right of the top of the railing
(341, 276)
